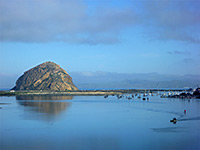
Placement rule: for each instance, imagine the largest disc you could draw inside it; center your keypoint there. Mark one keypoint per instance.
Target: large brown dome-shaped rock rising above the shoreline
(46, 76)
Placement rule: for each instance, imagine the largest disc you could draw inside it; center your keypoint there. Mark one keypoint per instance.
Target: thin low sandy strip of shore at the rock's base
(85, 92)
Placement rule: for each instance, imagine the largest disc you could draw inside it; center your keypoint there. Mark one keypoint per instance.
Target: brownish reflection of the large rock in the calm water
(48, 108)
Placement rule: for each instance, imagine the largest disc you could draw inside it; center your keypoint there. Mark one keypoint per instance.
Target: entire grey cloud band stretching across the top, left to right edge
(71, 20)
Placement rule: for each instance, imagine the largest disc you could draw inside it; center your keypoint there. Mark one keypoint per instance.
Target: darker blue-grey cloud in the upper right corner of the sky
(174, 20)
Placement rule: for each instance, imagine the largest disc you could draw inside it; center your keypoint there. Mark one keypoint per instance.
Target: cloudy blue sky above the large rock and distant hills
(125, 36)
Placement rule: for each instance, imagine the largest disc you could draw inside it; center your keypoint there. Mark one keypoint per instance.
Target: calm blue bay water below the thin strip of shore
(95, 123)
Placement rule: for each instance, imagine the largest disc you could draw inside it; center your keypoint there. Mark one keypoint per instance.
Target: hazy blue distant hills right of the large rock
(103, 80)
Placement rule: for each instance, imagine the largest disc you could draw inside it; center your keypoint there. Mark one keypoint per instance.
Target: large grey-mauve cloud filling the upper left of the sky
(61, 20)
